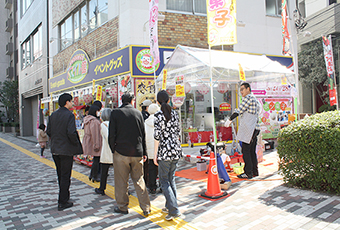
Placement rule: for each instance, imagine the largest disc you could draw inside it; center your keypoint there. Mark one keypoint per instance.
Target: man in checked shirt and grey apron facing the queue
(248, 130)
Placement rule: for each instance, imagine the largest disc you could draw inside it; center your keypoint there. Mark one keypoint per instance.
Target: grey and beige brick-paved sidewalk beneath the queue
(29, 191)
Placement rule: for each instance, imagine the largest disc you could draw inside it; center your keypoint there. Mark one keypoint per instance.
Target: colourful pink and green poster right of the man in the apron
(274, 113)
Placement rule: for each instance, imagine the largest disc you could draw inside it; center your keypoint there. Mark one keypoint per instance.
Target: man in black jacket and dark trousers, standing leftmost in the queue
(65, 143)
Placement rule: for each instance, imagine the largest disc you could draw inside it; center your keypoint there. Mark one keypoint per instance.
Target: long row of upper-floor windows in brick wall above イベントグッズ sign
(85, 19)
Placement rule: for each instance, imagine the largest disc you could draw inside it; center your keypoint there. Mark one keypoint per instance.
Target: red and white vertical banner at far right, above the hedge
(328, 53)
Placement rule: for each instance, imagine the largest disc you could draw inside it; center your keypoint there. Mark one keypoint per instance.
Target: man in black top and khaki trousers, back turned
(127, 142)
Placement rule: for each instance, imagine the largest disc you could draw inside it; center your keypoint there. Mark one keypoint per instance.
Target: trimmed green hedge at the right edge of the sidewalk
(309, 152)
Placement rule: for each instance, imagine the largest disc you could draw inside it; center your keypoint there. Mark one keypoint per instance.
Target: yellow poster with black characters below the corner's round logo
(145, 90)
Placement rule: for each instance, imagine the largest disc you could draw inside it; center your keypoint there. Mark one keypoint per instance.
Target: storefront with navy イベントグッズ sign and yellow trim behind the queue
(105, 79)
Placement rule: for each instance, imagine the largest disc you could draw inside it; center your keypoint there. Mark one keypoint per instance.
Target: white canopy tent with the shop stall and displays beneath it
(189, 68)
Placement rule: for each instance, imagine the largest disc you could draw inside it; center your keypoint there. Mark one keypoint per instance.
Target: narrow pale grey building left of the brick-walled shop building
(33, 64)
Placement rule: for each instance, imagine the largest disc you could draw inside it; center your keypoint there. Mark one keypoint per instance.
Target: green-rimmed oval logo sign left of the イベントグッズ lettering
(78, 66)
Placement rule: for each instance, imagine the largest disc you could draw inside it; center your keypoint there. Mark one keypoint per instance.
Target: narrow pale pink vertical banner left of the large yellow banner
(153, 27)
